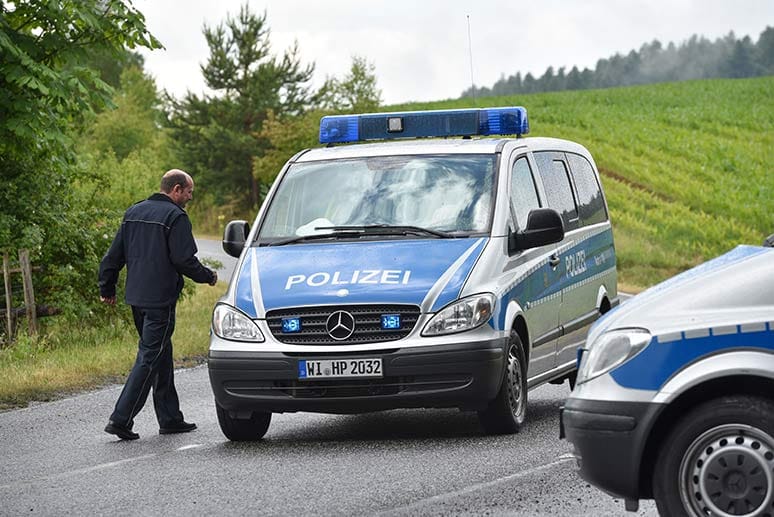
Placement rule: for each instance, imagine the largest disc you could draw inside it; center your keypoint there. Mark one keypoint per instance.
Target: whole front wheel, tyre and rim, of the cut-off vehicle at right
(719, 460)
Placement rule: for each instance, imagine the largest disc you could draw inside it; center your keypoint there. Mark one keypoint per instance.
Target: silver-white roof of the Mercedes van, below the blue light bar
(452, 145)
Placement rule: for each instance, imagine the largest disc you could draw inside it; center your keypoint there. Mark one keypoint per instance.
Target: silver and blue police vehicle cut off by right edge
(675, 393)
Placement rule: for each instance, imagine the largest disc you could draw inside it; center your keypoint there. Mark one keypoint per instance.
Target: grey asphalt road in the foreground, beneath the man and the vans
(55, 459)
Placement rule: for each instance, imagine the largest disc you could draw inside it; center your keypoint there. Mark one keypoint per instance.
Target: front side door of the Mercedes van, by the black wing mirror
(541, 309)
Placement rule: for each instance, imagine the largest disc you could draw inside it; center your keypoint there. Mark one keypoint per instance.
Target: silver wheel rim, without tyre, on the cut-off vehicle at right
(729, 470)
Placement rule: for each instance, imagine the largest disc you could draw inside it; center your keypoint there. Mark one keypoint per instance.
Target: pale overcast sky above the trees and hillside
(420, 48)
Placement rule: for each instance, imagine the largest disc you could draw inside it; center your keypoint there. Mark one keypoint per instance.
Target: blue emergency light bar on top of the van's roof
(336, 129)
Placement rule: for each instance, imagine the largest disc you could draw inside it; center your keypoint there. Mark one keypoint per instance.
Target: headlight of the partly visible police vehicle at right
(610, 350)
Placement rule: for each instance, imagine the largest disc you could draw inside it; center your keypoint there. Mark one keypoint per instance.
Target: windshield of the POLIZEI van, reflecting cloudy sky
(451, 194)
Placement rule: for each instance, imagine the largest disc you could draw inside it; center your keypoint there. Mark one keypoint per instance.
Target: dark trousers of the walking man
(153, 368)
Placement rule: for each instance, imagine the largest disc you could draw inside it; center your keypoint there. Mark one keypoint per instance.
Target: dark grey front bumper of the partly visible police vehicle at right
(609, 438)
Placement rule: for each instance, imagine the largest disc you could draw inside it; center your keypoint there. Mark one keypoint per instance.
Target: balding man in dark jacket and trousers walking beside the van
(156, 244)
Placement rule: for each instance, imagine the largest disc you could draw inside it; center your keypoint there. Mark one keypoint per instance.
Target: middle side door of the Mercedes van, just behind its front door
(558, 188)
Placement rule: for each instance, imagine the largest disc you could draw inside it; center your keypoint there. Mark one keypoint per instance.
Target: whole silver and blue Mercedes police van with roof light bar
(412, 272)
